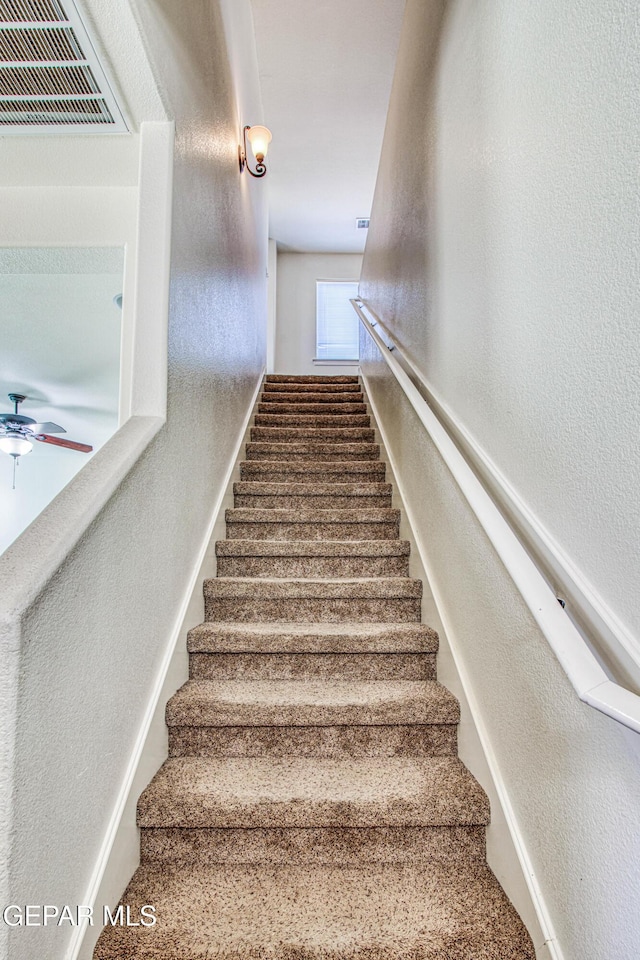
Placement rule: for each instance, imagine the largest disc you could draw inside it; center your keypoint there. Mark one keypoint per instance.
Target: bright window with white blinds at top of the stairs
(336, 321)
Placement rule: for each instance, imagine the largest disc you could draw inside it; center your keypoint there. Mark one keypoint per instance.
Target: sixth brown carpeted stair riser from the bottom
(279, 530)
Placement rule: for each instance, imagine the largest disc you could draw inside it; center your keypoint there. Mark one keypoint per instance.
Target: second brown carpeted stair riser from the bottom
(399, 740)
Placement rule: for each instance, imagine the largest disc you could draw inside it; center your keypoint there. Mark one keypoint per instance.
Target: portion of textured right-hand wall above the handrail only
(520, 299)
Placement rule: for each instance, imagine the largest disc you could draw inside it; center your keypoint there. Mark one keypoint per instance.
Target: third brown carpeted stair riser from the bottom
(312, 666)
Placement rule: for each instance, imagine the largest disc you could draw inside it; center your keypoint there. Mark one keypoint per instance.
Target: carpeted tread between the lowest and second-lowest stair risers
(283, 792)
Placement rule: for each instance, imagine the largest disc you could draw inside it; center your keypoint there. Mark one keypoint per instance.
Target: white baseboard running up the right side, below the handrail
(544, 937)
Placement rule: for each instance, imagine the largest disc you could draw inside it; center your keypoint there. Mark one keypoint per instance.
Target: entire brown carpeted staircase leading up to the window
(313, 806)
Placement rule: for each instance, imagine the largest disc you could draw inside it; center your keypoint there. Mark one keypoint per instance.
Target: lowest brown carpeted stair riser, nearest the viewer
(322, 845)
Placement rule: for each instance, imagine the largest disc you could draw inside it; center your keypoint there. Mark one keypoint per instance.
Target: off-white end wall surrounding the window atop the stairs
(296, 307)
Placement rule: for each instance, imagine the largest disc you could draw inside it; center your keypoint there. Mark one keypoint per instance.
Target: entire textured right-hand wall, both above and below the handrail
(504, 259)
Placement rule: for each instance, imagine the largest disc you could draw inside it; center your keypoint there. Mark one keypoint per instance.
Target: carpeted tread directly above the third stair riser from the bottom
(345, 637)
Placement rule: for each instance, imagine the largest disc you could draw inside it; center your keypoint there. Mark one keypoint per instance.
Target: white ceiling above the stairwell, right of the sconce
(326, 69)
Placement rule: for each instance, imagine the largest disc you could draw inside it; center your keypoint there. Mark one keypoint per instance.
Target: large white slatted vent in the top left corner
(51, 80)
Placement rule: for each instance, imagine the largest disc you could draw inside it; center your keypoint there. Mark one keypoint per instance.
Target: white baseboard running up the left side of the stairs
(150, 744)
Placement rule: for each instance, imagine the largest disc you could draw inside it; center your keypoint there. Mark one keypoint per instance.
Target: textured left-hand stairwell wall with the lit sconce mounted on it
(93, 641)
